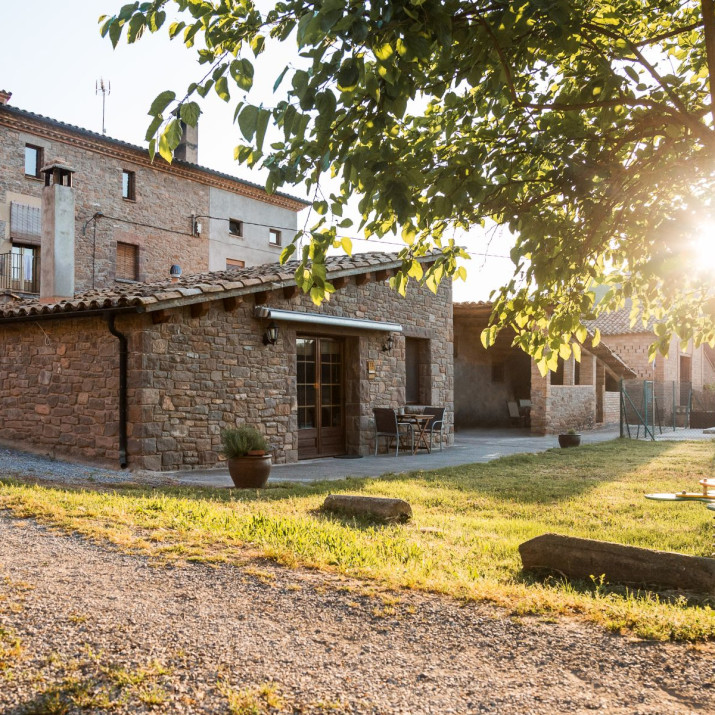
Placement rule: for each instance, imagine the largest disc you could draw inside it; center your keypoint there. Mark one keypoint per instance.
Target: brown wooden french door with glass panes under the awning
(321, 403)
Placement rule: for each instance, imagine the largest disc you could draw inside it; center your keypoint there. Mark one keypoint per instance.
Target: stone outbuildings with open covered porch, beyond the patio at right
(578, 395)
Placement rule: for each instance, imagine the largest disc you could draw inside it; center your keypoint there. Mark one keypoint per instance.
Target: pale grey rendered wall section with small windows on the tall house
(257, 217)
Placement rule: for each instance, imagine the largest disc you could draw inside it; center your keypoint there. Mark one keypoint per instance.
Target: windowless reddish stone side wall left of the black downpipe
(59, 382)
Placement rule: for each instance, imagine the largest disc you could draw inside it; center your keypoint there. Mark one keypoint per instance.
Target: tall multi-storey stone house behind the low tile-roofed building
(157, 214)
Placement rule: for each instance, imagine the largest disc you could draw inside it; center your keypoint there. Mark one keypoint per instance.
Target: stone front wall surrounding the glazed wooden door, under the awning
(201, 375)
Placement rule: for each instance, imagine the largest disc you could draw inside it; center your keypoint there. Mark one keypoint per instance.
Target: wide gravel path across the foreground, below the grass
(83, 626)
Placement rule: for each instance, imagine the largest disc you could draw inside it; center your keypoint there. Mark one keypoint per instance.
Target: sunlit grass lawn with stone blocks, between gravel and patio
(468, 522)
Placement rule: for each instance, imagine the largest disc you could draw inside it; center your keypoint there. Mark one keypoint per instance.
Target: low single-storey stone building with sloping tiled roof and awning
(197, 363)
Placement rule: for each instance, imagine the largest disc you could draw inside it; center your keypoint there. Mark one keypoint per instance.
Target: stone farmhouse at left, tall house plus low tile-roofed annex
(107, 359)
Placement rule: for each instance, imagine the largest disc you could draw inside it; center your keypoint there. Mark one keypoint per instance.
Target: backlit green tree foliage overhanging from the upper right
(585, 127)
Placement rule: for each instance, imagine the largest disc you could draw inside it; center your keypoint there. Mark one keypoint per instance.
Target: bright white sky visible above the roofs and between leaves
(52, 57)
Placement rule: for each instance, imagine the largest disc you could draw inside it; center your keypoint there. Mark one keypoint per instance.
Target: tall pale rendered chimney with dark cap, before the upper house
(57, 251)
